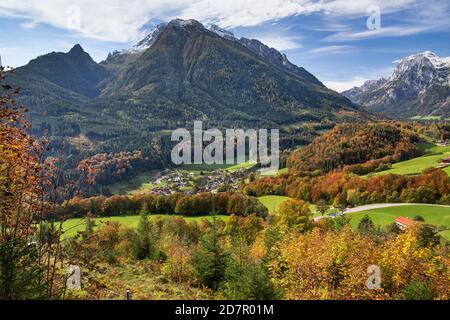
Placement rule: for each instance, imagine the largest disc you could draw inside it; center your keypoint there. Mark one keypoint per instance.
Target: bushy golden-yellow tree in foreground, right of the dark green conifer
(324, 265)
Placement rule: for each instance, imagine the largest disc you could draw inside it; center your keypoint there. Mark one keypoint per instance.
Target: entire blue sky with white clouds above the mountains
(330, 38)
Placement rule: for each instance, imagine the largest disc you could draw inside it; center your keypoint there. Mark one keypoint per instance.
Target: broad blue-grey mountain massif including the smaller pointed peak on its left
(181, 72)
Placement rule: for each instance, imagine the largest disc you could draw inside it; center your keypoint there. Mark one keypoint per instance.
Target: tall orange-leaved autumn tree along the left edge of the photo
(27, 261)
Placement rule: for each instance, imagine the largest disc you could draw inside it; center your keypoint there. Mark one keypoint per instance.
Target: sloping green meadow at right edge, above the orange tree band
(417, 165)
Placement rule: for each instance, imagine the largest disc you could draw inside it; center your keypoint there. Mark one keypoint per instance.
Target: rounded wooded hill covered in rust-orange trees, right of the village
(352, 144)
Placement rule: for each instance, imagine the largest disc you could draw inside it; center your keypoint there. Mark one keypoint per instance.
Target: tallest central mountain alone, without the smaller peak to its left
(189, 73)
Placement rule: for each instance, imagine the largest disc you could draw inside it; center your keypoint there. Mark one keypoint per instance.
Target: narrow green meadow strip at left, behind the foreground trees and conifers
(72, 226)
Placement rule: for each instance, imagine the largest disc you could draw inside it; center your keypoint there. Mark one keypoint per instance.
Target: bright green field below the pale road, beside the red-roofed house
(435, 215)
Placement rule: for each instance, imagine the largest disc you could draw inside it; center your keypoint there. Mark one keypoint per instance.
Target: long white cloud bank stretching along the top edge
(117, 20)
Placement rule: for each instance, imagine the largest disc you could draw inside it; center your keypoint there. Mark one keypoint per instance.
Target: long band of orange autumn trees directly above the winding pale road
(432, 186)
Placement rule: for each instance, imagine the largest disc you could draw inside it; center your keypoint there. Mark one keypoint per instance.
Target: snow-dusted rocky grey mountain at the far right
(419, 85)
